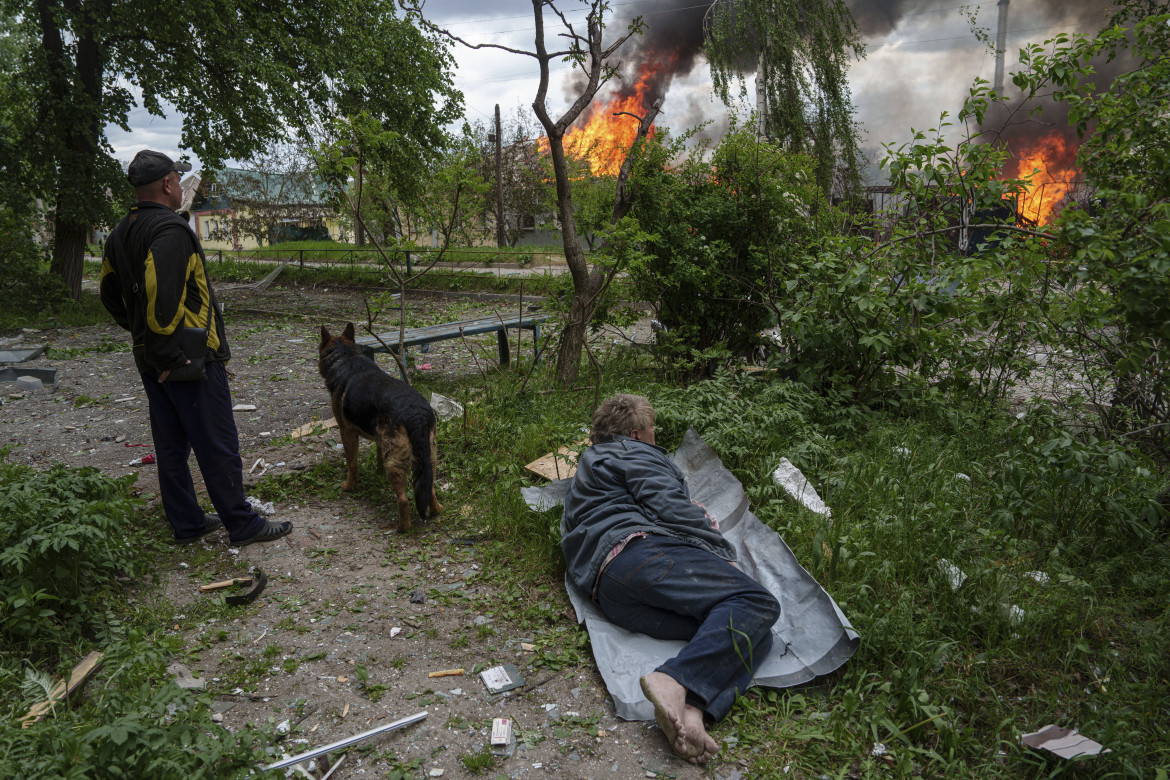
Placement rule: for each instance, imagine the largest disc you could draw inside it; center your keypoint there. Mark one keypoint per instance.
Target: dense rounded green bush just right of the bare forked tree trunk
(722, 232)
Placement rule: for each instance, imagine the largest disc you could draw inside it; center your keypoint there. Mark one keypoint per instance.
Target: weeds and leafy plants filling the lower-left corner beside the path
(72, 549)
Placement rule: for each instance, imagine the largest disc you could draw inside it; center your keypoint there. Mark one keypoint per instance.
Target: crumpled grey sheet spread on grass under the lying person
(813, 636)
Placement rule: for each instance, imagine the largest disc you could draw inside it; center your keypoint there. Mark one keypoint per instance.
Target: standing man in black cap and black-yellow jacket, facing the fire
(155, 284)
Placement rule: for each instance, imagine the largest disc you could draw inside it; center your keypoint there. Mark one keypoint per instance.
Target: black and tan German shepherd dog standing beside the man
(370, 403)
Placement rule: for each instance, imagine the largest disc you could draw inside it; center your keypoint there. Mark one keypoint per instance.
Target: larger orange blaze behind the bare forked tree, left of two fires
(605, 139)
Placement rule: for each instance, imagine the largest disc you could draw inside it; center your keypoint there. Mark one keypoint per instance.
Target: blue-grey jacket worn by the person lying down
(624, 487)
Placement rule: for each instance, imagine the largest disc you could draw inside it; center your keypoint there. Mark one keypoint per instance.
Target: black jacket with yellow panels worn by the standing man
(155, 282)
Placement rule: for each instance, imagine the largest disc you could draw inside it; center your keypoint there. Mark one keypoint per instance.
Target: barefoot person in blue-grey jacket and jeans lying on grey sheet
(656, 563)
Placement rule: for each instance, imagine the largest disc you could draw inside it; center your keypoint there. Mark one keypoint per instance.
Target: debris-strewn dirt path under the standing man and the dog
(338, 645)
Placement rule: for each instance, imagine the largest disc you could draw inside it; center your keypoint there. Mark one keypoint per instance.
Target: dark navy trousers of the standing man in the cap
(187, 417)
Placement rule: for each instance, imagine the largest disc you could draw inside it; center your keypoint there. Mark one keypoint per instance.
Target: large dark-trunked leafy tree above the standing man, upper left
(240, 73)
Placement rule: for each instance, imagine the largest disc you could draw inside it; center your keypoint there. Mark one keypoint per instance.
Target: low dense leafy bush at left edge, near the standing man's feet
(65, 537)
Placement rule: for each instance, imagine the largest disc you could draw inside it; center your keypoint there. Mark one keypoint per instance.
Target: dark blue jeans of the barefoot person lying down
(675, 591)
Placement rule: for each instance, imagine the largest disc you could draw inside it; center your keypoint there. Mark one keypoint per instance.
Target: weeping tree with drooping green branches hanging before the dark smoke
(800, 51)
